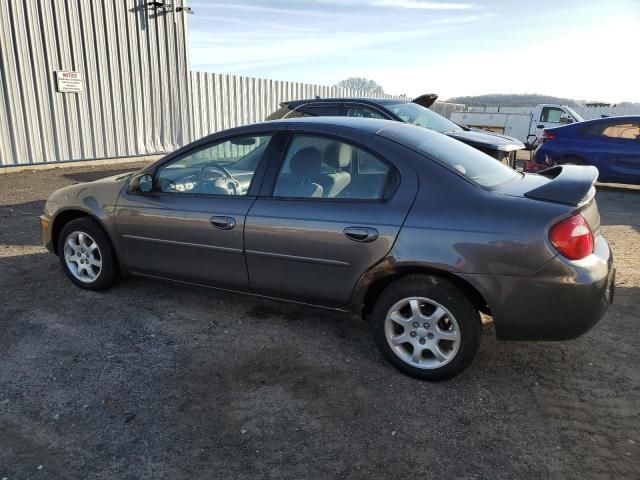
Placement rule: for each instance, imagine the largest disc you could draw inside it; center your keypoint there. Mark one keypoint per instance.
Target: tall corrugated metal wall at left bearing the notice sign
(135, 67)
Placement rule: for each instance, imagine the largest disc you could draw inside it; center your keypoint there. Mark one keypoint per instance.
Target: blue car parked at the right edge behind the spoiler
(611, 144)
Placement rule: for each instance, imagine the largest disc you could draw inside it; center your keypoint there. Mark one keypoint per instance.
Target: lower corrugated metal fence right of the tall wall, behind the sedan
(224, 101)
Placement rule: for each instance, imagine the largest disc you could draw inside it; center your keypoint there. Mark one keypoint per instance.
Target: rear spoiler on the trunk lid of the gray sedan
(570, 184)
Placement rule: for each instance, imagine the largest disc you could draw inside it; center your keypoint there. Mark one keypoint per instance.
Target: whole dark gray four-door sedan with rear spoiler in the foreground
(414, 231)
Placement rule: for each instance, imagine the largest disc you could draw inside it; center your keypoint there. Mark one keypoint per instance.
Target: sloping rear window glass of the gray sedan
(467, 161)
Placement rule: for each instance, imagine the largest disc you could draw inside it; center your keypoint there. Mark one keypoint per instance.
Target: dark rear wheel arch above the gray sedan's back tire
(375, 282)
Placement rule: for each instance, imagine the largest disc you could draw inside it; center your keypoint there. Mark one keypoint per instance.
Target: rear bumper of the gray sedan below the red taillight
(561, 301)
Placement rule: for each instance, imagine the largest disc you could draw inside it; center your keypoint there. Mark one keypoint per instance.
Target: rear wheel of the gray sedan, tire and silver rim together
(426, 327)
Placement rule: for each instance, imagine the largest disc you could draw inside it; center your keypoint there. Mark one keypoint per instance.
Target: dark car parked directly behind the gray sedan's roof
(415, 112)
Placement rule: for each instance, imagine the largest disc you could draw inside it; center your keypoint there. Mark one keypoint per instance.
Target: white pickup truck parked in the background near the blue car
(525, 124)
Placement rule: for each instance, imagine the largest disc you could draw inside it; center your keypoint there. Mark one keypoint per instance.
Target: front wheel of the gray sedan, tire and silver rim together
(86, 254)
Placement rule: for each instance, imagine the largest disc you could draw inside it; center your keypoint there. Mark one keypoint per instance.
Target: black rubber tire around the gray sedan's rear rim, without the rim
(440, 291)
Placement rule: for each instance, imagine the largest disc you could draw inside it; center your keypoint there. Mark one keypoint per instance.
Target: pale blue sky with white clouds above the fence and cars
(581, 49)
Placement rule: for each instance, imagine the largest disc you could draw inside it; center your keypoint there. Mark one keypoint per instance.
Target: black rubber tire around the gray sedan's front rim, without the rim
(108, 271)
